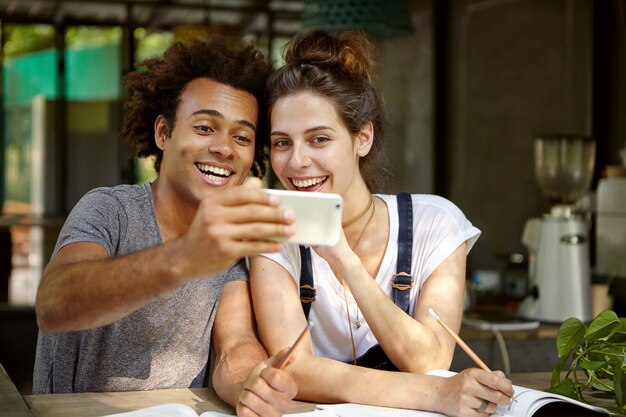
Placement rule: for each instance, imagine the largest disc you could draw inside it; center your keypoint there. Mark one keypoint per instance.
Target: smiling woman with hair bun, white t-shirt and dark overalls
(326, 135)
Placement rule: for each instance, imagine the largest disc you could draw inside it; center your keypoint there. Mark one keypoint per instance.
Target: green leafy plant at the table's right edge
(598, 349)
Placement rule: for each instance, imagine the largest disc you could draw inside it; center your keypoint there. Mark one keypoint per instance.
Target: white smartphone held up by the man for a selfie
(318, 216)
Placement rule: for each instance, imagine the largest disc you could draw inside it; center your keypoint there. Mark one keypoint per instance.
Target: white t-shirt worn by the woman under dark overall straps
(439, 228)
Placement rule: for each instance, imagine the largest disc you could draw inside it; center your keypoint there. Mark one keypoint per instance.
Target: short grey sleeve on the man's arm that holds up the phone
(98, 218)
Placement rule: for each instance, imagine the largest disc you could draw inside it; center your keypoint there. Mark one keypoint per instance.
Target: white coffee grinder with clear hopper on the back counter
(558, 243)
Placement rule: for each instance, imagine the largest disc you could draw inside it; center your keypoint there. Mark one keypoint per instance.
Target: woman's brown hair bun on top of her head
(349, 51)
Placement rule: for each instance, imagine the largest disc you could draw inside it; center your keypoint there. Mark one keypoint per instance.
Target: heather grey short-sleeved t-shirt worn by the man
(164, 344)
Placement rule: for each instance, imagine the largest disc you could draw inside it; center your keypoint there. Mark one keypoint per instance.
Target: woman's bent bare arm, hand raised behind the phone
(413, 344)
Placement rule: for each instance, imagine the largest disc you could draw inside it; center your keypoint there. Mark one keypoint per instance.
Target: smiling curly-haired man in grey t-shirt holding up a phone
(129, 298)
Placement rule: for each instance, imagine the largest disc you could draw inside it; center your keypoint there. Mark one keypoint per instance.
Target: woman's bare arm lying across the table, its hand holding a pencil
(280, 319)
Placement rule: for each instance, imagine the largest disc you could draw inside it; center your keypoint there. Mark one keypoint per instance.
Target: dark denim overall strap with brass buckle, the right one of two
(403, 281)
